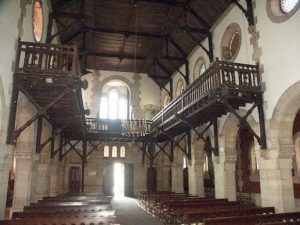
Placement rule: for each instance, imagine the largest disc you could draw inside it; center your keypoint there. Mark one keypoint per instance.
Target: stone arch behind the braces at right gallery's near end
(229, 133)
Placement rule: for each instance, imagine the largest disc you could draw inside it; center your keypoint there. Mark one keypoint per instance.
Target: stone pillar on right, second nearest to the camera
(225, 184)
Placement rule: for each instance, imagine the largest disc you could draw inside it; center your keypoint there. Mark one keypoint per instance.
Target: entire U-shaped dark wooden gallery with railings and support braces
(49, 76)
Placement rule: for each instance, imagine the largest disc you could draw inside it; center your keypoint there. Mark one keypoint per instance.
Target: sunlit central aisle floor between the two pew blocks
(129, 212)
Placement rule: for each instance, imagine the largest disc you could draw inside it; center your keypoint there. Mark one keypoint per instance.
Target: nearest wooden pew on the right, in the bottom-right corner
(254, 219)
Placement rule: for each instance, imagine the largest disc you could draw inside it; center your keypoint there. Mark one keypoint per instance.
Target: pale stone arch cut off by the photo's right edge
(281, 126)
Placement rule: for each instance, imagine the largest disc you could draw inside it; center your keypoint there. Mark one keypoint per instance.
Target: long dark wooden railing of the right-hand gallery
(220, 75)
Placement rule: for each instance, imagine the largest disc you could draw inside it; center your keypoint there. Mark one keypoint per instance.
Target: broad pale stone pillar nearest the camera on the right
(276, 181)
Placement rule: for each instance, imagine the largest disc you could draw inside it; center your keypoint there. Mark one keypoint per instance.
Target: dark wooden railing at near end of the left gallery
(54, 60)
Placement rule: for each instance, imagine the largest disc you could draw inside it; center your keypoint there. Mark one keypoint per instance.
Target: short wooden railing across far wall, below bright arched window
(95, 125)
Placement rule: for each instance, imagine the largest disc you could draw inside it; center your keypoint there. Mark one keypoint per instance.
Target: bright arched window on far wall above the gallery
(114, 102)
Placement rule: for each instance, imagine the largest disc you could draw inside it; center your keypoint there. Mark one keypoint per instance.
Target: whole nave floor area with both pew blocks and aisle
(155, 208)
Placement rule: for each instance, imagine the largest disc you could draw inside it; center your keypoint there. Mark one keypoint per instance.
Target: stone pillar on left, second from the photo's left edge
(22, 191)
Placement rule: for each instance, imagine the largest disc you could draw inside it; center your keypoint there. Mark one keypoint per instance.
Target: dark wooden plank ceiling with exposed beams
(145, 36)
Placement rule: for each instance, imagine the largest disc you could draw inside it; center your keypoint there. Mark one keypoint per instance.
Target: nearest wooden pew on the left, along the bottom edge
(61, 221)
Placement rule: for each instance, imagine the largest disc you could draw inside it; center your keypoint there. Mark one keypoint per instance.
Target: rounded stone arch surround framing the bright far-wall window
(103, 82)
